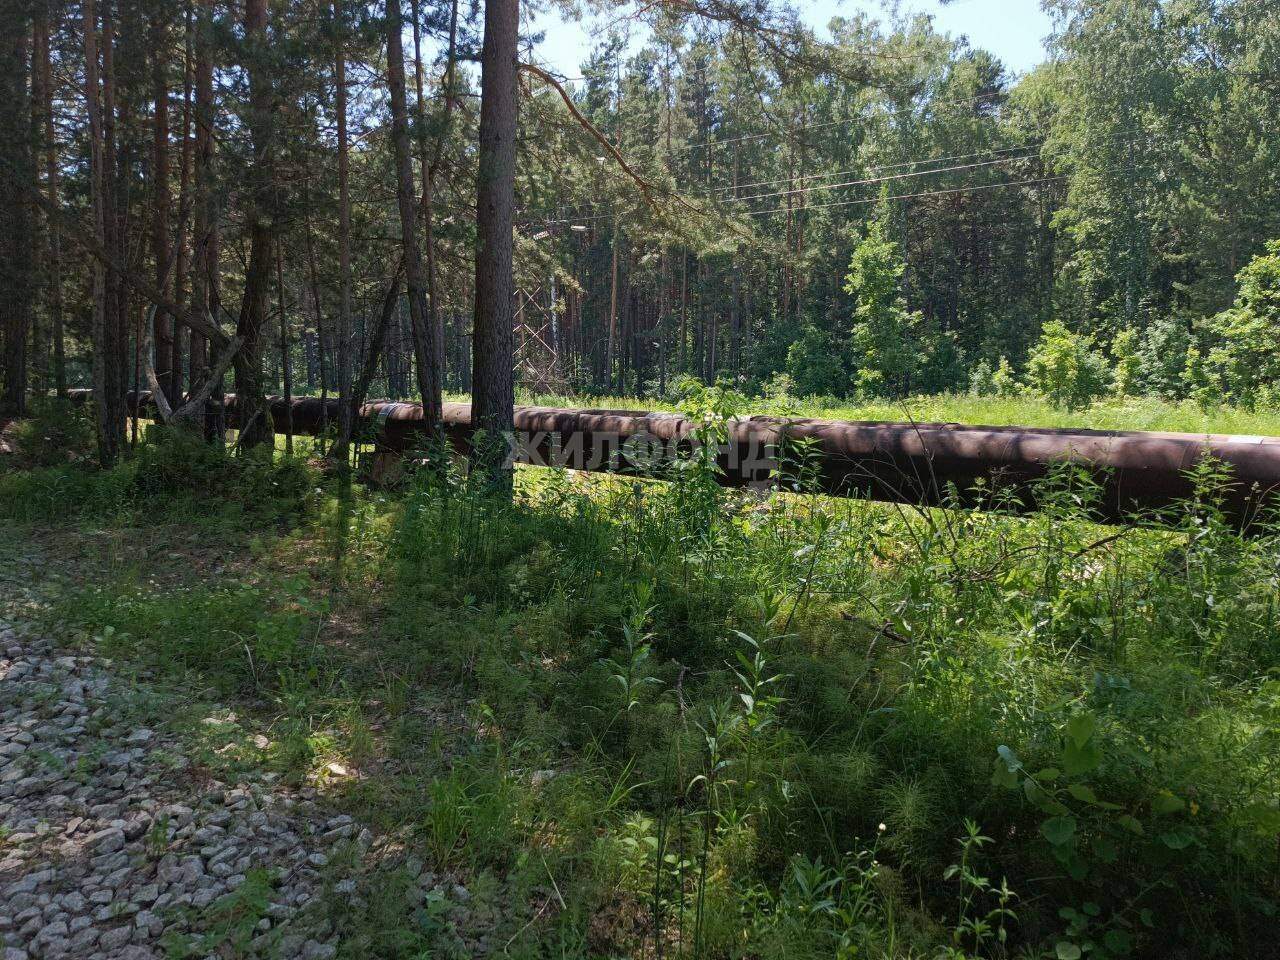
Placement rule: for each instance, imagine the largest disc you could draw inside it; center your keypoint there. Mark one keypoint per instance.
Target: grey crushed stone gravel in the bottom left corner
(109, 849)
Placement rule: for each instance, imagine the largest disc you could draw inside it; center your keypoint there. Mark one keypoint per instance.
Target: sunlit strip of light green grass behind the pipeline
(1116, 414)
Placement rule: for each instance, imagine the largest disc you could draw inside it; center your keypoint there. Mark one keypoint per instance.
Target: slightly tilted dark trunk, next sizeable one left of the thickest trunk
(426, 354)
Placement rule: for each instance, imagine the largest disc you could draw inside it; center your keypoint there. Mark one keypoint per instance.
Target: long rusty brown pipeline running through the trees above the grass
(906, 463)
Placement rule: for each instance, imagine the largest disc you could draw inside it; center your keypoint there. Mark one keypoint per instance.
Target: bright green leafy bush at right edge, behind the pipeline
(1246, 356)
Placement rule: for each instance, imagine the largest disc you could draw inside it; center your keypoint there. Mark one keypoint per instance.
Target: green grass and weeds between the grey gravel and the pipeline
(644, 719)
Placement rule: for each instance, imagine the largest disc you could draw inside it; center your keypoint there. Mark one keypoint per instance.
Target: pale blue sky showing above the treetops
(1013, 30)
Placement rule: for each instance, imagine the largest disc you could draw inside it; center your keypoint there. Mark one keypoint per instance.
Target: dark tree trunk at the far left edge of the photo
(17, 176)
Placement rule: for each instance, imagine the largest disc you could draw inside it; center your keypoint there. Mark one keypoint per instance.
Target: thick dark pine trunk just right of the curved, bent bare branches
(255, 414)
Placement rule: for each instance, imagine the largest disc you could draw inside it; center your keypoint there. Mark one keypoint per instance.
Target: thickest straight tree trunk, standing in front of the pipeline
(493, 391)
